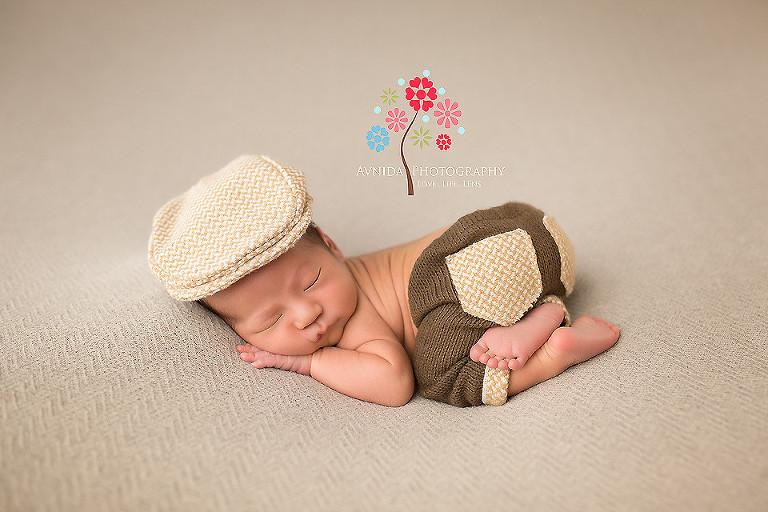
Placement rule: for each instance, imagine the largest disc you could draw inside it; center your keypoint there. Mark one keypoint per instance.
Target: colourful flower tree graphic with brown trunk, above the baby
(421, 93)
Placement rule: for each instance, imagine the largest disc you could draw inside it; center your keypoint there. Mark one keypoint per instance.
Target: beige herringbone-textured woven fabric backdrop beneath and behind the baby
(641, 126)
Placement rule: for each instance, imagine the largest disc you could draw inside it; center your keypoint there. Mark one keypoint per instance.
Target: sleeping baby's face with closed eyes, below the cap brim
(294, 305)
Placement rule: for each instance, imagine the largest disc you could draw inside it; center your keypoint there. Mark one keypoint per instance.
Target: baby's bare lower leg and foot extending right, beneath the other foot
(587, 337)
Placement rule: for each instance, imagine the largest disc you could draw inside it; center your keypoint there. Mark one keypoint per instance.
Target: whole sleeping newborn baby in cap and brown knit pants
(468, 315)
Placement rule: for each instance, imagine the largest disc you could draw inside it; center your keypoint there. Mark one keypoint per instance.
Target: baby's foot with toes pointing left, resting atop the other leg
(509, 347)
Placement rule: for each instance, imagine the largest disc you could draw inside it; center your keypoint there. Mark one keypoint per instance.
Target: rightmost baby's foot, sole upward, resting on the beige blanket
(587, 337)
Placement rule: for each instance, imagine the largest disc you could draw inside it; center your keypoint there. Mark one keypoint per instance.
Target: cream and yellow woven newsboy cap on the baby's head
(227, 225)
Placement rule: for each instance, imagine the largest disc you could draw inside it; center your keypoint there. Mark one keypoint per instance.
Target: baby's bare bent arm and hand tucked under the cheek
(377, 371)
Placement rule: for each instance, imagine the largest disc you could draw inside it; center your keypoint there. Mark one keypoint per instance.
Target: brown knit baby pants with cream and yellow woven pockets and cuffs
(489, 268)
